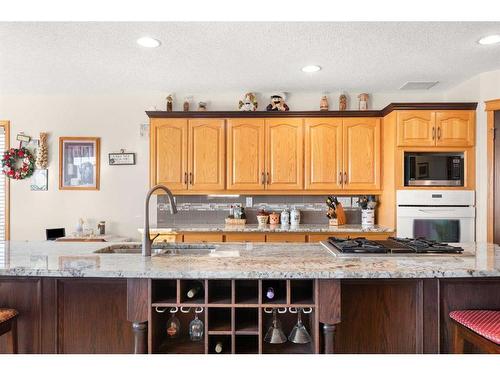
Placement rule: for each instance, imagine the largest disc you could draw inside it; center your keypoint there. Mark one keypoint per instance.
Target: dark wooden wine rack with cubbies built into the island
(236, 315)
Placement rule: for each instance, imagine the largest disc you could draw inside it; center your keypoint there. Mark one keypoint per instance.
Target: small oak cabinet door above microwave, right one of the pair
(455, 128)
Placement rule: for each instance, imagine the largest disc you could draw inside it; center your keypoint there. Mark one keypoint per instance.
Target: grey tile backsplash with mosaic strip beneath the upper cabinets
(213, 210)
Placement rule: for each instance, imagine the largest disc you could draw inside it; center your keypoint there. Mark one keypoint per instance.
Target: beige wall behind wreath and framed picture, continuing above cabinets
(116, 119)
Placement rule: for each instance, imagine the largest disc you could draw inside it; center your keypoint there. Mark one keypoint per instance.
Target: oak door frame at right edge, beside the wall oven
(491, 107)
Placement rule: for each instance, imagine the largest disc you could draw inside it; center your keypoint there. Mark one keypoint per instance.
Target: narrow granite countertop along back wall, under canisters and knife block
(302, 228)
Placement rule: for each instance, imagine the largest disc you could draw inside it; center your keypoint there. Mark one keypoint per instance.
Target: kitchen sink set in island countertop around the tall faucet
(162, 249)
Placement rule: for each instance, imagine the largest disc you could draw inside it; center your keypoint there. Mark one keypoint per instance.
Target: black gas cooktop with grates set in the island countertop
(391, 246)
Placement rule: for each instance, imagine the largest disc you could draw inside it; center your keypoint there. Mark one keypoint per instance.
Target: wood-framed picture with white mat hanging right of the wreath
(79, 163)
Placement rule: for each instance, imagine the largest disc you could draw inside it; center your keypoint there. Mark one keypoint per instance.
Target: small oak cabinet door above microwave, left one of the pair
(416, 128)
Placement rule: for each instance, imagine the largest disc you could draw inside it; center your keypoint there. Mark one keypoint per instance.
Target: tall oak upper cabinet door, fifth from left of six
(323, 153)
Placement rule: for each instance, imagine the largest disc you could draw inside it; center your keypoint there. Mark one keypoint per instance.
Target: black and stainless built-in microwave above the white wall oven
(433, 169)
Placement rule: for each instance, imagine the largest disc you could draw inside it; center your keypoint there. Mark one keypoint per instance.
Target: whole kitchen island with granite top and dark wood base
(74, 300)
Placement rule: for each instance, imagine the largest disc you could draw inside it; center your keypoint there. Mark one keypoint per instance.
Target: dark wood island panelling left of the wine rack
(69, 315)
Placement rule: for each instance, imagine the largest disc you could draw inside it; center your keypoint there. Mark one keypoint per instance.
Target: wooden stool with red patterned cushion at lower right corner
(480, 328)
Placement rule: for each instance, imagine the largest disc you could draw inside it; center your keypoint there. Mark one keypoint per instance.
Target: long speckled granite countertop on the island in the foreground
(239, 260)
